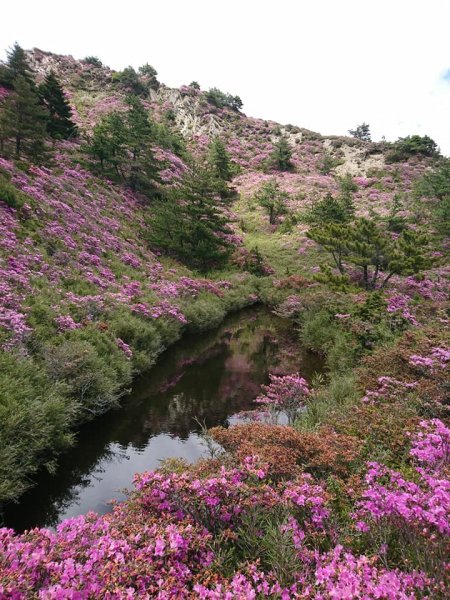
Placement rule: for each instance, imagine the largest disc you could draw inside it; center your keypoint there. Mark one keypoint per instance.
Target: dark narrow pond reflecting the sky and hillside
(209, 377)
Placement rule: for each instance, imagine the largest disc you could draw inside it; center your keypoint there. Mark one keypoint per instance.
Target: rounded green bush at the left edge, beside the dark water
(35, 417)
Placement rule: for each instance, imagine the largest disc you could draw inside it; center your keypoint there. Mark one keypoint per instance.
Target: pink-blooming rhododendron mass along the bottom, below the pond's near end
(168, 541)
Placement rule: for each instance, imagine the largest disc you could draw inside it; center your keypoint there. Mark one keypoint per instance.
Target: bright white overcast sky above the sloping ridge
(326, 65)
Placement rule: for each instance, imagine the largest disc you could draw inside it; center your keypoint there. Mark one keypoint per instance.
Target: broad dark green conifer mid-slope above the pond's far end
(189, 222)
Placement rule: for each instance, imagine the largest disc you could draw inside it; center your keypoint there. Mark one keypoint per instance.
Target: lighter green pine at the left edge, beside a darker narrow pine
(23, 120)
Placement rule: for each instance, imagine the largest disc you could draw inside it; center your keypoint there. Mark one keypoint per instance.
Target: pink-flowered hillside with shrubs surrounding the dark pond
(346, 238)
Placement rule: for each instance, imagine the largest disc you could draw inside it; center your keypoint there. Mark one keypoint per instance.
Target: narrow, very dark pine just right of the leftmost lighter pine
(60, 125)
